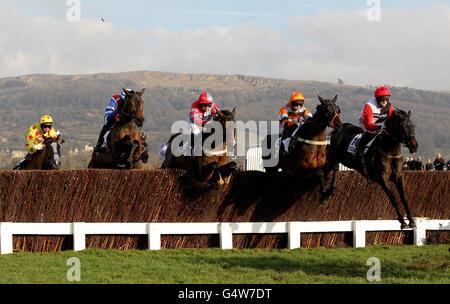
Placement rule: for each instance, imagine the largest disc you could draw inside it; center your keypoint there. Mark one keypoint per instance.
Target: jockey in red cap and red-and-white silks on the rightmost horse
(372, 118)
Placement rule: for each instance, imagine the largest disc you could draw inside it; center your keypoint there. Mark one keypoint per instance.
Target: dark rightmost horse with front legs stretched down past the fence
(383, 161)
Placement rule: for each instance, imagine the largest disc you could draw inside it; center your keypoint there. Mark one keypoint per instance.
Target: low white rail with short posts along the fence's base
(225, 230)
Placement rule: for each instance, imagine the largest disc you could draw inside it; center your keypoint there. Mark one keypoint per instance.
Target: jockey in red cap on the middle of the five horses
(202, 111)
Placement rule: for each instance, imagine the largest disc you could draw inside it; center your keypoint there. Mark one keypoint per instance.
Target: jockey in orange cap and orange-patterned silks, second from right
(292, 116)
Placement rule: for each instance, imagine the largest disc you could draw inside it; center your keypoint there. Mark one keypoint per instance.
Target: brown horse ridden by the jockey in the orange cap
(307, 148)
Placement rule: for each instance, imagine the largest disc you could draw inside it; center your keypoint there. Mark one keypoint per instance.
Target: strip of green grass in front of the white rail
(399, 264)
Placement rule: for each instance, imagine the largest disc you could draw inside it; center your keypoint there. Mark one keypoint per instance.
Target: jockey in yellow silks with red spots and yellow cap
(35, 138)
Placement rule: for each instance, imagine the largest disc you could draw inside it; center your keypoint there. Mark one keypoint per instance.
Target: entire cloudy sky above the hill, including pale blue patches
(396, 42)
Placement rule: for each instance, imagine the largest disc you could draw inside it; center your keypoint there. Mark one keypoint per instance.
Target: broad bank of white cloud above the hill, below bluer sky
(408, 47)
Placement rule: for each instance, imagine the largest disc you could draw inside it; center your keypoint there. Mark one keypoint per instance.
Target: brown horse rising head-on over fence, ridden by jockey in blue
(124, 142)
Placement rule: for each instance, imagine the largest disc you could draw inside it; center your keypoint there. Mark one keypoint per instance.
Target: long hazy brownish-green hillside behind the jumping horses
(77, 103)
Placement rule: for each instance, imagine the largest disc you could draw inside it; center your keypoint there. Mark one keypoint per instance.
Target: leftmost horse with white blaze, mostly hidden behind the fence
(49, 158)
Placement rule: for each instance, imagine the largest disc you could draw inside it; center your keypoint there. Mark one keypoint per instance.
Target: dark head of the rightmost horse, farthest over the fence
(400, 127)
